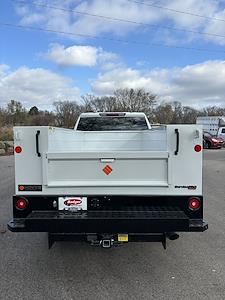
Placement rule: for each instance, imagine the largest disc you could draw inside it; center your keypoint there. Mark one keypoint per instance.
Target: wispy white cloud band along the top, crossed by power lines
(72, 21)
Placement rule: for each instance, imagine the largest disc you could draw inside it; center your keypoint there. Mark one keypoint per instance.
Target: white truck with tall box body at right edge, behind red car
(215, 125)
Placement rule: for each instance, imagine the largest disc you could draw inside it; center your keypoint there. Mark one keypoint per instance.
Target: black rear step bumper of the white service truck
(86, 222)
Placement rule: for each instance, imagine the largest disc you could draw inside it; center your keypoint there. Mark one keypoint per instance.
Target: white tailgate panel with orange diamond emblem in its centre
(140, 168)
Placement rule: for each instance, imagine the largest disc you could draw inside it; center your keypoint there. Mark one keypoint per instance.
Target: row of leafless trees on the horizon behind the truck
(67, 112)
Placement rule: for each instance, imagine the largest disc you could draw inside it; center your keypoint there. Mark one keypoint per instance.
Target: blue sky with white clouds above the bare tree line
(38, 67)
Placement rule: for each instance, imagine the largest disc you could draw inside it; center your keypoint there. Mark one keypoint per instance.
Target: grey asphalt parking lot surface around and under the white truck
(192, 267)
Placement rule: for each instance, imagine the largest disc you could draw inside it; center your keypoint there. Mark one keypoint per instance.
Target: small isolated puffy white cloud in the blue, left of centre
(78, 55)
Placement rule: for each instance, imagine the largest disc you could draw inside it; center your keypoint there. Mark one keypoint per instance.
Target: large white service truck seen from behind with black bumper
(112, 180)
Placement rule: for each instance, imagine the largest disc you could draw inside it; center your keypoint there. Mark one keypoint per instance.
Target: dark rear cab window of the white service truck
(112, 123)
